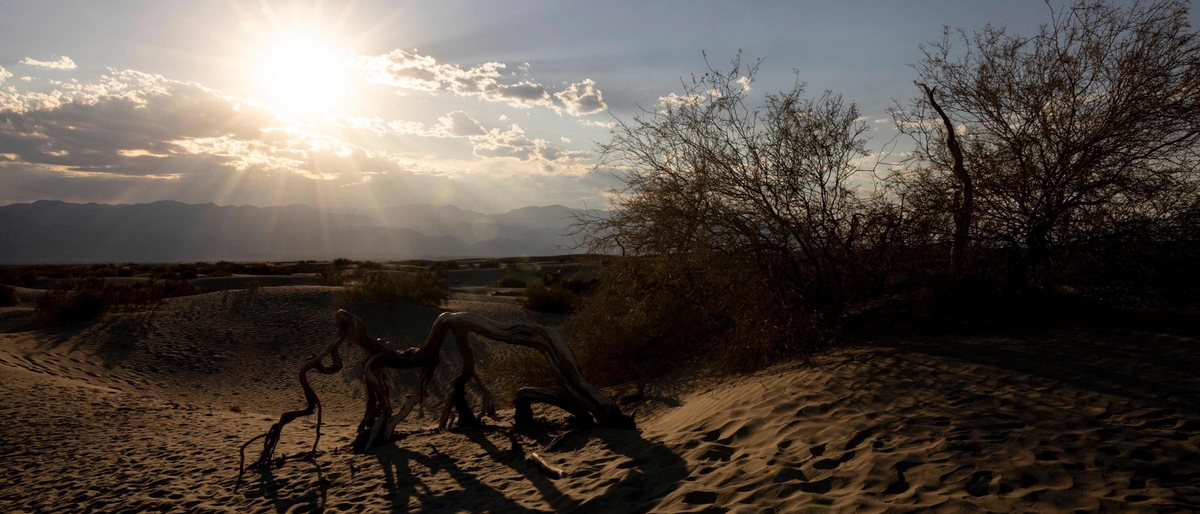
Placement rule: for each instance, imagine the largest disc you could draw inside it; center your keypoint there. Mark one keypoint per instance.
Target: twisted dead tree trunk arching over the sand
(380, 421)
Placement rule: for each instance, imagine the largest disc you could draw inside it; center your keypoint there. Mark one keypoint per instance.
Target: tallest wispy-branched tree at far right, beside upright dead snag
(1089, 127)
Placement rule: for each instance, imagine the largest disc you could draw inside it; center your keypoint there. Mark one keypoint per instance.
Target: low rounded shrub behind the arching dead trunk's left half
(386, 288)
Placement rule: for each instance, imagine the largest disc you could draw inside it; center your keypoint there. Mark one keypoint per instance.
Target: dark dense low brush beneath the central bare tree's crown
(649, 315)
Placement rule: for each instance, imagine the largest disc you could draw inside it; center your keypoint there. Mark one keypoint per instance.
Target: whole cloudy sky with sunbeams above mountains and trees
(364, 105)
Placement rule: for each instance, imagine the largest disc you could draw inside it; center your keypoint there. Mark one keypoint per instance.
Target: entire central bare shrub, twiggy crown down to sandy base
(741, 232)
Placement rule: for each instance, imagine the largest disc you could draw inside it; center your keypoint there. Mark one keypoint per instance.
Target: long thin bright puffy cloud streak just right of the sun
(413, 73)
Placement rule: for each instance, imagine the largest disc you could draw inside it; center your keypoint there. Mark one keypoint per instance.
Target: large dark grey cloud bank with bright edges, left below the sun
(136, 125)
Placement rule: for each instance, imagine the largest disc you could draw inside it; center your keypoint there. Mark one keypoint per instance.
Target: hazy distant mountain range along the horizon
(59, 232)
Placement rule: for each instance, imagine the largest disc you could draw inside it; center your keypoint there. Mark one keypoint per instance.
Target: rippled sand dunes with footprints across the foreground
(146, 411)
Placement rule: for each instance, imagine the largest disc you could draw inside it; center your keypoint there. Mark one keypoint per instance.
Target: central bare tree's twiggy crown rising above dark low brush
(767, 187)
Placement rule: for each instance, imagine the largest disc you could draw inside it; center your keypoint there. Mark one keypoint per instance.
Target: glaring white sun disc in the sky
(302, 74)
